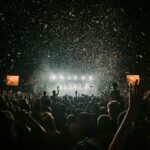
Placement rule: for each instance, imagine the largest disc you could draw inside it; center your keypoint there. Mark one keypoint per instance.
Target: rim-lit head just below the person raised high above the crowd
(113, 108)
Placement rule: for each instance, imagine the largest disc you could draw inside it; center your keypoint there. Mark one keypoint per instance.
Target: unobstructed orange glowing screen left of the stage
(12, 80)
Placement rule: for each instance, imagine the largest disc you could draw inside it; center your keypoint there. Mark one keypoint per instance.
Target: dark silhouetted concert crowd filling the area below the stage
(109, 122)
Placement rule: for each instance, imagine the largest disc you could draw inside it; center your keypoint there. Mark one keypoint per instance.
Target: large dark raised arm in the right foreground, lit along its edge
(135, 99)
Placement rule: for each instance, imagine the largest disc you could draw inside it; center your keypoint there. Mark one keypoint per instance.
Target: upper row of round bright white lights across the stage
(62, 77)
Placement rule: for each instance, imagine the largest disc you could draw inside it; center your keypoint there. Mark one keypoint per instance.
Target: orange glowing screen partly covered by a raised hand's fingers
(131, 79)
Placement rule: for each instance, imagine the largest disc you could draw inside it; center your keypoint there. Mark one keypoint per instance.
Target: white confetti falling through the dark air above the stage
(78, 36)
